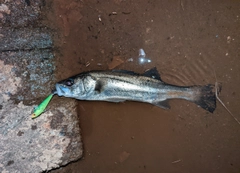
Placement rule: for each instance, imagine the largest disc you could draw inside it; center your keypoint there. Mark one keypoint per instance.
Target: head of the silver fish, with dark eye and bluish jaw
(72, 87)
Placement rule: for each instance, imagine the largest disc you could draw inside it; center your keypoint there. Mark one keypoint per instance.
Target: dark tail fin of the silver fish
(206, 98)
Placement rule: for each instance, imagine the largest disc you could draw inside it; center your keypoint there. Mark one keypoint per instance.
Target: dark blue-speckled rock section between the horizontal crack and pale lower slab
(36, 70)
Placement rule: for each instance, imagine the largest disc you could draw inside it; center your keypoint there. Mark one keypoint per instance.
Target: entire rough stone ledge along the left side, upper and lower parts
(27, 75)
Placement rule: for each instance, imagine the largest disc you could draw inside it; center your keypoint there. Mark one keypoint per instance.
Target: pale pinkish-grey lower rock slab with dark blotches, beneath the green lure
(44, 143)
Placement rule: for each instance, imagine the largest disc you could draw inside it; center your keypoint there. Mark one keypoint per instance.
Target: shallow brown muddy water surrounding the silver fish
(187, 41)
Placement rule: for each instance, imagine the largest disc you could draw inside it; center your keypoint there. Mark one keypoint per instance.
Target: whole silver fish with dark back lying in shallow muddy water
(123, 85)
